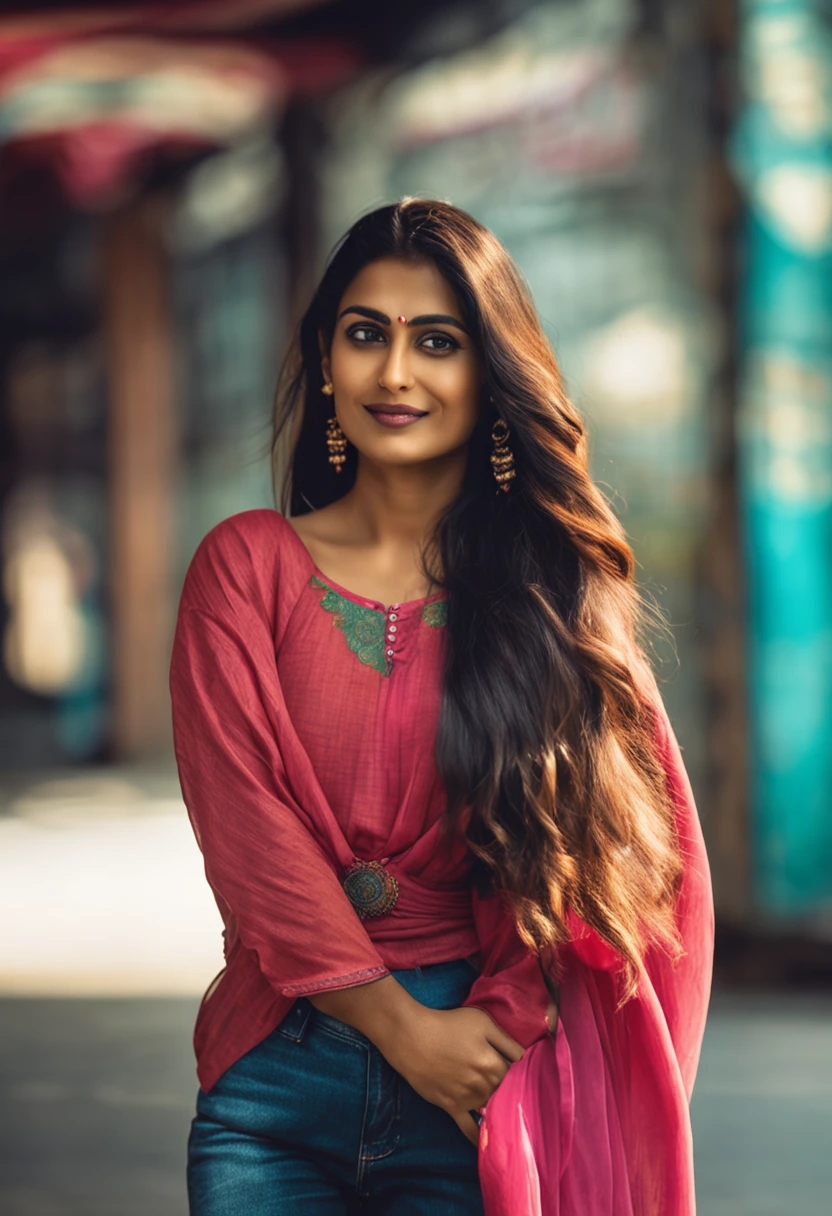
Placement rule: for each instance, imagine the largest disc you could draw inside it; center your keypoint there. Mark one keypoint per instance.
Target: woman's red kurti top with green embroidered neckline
(305, 719)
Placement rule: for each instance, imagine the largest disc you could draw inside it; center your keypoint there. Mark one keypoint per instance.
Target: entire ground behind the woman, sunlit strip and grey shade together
(113, 937)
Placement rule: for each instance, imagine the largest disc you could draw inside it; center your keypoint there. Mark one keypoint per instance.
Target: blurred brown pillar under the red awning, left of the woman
(142, 469)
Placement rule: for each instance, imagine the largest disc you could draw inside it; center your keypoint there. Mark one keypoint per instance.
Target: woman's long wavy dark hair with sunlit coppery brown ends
(547, 735)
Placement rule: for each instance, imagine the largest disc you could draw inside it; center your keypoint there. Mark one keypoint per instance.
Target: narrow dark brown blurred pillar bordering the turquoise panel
(723, 610)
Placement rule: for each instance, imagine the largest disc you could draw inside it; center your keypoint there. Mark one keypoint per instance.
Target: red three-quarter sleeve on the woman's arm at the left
(263, 860)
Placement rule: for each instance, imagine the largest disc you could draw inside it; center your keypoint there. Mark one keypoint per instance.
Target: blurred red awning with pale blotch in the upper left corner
(92, 93)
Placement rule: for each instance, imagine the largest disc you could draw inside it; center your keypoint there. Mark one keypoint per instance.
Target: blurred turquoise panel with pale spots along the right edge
(784, 155)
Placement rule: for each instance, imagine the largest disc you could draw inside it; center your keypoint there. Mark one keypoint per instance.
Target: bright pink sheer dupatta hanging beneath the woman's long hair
(594, 1121)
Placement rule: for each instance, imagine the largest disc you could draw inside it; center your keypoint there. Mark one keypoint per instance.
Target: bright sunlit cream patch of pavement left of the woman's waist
(102, 879)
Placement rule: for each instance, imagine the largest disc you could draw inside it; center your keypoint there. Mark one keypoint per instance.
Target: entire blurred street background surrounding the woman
(172, 178)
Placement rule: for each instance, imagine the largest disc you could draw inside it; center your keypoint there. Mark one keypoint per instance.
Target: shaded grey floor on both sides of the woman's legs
(97, 1097)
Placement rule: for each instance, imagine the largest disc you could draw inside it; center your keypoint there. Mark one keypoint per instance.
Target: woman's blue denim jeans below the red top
(316, 1121)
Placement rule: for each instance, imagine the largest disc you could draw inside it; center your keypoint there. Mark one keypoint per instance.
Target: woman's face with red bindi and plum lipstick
(426, 364)
